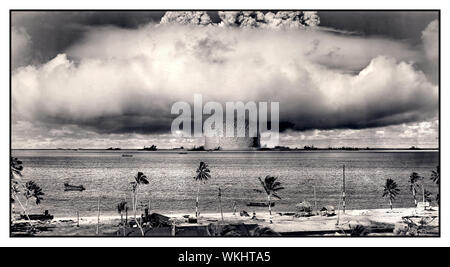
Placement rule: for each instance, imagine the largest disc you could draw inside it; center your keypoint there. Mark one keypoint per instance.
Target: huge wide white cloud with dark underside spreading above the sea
(122, 81)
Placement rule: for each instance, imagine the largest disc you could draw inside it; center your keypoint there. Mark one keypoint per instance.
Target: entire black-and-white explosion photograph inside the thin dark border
(280, 123)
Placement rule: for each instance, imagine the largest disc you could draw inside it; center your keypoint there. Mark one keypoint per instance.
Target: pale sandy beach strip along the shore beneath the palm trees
(372, 221)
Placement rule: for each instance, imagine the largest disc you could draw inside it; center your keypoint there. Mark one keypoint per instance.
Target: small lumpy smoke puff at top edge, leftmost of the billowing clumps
(186, 17)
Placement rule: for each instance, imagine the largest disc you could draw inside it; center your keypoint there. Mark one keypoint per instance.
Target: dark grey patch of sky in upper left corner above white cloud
(51, 33)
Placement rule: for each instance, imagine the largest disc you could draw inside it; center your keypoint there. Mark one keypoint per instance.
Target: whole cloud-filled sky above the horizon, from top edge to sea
(102, 79)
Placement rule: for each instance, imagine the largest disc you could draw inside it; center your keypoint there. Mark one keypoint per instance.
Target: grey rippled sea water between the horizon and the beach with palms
(172, 189)
